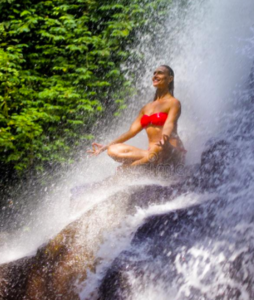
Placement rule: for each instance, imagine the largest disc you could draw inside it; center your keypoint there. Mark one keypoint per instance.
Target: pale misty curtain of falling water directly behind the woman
(203, 47)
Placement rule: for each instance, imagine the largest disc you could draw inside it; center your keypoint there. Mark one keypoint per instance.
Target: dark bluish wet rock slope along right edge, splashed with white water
(205, 251)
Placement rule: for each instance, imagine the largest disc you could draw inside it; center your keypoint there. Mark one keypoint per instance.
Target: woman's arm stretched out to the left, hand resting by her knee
(134, 129)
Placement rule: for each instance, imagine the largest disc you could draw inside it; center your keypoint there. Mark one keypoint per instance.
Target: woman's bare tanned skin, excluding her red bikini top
(159, 138)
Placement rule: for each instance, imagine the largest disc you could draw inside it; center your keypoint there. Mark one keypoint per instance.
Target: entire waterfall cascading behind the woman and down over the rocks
(207, 251)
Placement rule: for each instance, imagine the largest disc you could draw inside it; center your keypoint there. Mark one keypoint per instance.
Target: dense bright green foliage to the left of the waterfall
(60, 70)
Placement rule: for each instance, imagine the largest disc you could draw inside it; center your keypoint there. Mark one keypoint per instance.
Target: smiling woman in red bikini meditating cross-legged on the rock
(159, 119)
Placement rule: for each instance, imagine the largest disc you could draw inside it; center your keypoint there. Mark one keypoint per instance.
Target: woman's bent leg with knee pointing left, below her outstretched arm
(126, 154)
